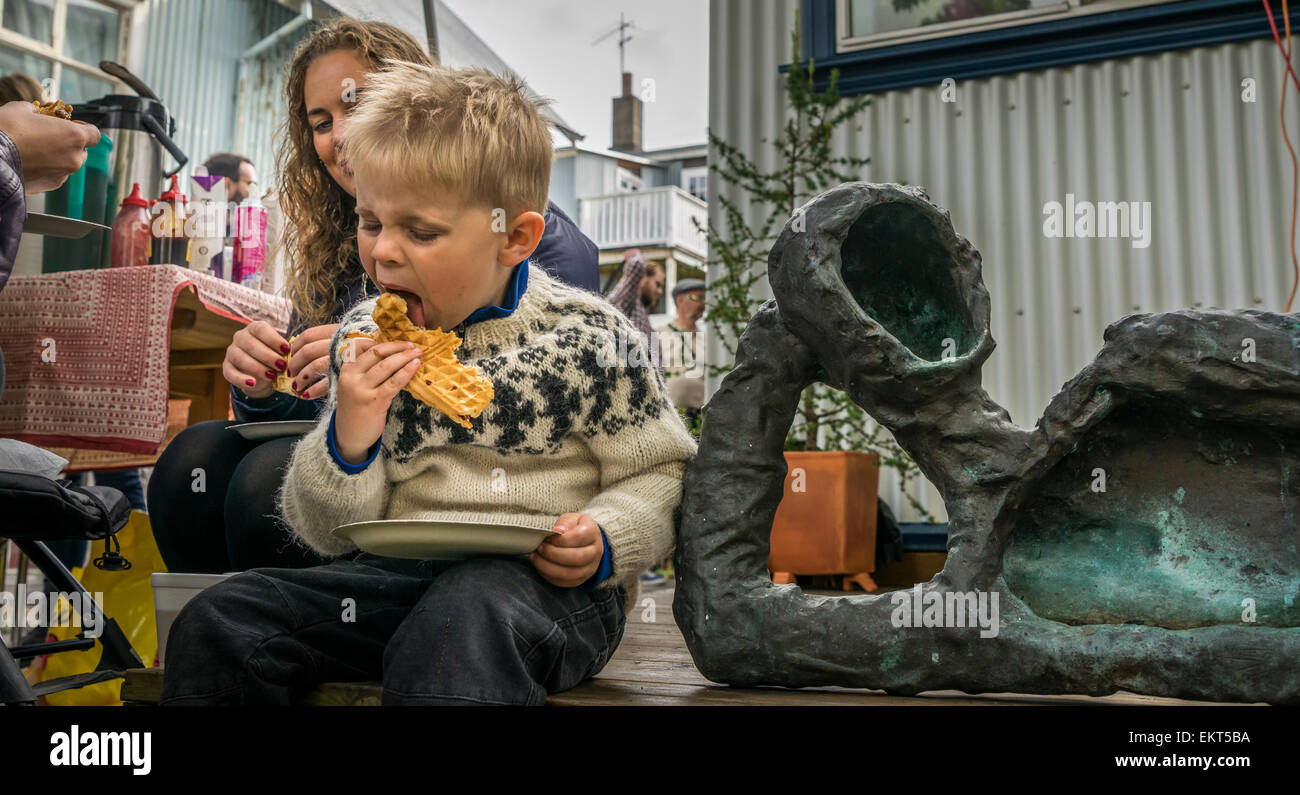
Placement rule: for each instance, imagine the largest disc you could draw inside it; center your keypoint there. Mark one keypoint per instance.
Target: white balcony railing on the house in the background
(647, 219)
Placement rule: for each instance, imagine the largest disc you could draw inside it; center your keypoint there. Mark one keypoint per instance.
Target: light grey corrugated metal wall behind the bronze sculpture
(1169, 129)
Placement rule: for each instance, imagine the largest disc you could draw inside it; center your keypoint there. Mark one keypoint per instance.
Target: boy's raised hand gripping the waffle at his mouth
(370, 379)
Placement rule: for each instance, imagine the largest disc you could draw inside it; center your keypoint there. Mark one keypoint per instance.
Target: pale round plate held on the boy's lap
(440, 540)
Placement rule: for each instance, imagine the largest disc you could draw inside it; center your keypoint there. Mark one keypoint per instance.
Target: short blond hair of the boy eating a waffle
(473, 133)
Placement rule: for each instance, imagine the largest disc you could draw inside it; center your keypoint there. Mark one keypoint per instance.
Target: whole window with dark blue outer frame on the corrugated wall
(883, 46)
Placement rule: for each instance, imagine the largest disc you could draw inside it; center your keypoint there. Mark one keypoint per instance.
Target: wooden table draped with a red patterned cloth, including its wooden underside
(116, 332)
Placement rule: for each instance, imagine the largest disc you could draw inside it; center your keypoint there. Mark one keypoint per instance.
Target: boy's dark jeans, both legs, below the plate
(488, 631)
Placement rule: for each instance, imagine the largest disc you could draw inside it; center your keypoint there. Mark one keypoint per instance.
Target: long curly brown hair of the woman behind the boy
(322, 221)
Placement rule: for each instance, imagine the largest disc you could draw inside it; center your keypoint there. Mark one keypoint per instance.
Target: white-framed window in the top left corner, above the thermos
(62, 42)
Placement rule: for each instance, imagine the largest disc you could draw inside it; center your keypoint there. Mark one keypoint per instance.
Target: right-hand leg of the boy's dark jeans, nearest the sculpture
(495, 632)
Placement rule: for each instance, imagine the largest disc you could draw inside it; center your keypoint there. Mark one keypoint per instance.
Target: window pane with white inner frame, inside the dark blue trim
(874, 23)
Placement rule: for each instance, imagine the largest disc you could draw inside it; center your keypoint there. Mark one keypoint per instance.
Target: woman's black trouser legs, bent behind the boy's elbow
(213, 503)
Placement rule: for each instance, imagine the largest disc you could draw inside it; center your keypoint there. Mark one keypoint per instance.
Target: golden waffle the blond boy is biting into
(441, 383)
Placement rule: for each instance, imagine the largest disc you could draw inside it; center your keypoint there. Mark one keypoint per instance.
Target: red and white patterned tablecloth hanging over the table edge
(86, 351)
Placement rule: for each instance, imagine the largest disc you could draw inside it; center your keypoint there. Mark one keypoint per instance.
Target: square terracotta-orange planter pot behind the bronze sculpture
(827, 520)
